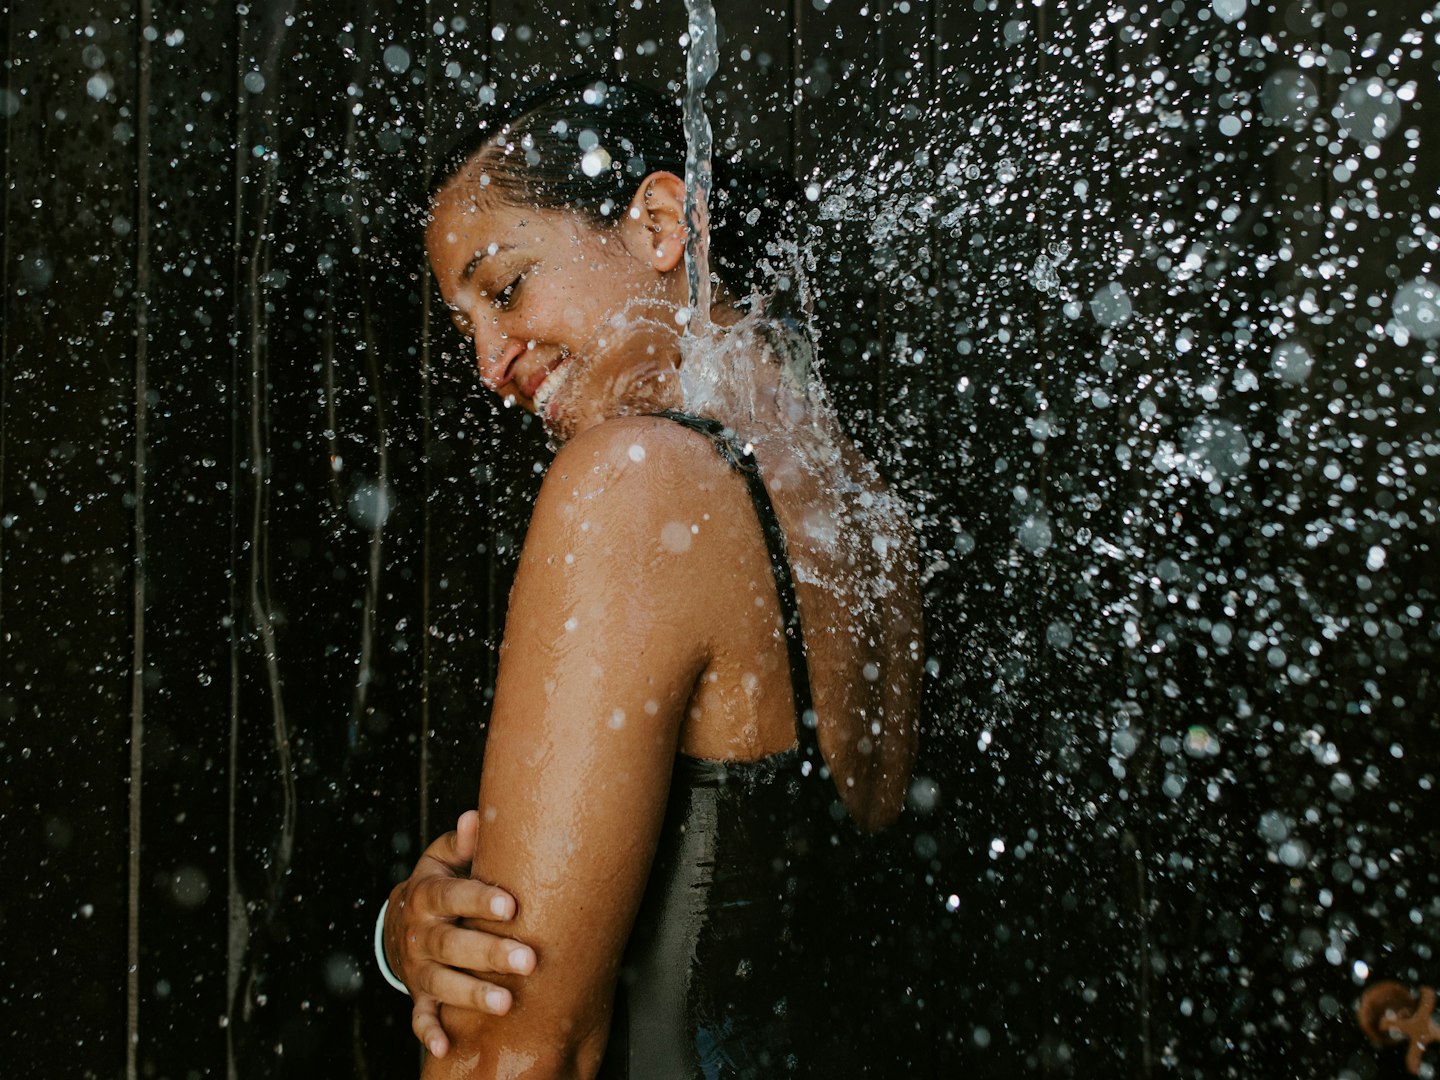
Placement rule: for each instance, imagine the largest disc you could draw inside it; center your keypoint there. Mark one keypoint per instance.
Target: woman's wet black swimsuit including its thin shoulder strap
(724, 974)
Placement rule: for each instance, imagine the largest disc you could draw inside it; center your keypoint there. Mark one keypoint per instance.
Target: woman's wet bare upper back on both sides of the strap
(852, 555)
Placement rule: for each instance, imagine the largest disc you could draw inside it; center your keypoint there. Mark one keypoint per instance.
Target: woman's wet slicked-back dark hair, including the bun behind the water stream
(585, 143)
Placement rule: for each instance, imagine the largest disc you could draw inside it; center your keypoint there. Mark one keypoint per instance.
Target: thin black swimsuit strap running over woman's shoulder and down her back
(742, 460)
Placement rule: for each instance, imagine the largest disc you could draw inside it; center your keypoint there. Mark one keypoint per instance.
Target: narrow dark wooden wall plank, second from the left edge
(191, 958)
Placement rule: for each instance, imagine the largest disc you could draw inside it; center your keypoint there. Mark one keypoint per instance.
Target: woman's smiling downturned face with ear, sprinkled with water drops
(570, 320)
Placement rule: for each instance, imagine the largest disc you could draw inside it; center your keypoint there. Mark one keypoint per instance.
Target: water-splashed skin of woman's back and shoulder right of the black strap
(852, 551)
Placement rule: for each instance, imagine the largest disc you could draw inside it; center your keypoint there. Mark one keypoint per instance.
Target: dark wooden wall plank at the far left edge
(67, 572)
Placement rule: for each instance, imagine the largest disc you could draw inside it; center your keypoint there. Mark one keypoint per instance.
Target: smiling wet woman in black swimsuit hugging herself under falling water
(714, 642)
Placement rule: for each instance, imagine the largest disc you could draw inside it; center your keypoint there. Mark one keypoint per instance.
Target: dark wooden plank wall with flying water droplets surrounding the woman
(258, 516)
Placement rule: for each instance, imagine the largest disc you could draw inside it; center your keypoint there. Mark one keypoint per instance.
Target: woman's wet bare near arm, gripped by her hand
(603, 650)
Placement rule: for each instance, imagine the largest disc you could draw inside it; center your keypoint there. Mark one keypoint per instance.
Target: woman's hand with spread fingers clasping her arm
(434, 954)
